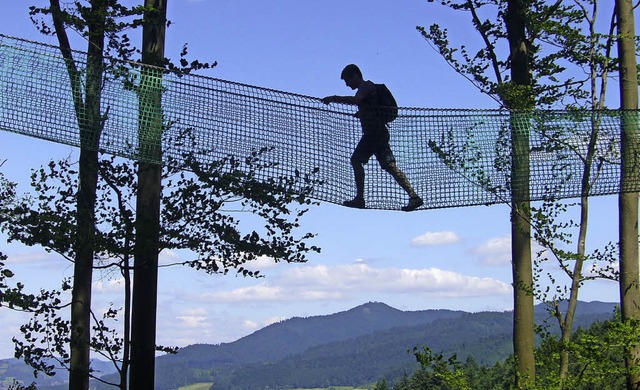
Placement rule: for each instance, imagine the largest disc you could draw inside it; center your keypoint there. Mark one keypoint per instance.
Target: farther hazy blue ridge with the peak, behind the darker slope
(289, 337)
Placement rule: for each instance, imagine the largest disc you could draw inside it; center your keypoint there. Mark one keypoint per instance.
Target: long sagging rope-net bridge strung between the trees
(453, 158)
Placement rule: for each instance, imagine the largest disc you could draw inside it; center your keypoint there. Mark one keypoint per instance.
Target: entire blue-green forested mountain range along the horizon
(357, 346)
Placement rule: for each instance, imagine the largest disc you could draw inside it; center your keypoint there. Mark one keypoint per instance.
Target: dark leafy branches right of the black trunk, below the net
(197, 208)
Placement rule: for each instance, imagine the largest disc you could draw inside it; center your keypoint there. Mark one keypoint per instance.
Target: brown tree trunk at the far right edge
(628, 201)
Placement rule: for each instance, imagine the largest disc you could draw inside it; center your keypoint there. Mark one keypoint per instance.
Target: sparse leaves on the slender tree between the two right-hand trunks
(590, 52)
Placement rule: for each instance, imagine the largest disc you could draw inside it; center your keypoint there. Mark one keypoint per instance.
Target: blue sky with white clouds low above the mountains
(453, 258)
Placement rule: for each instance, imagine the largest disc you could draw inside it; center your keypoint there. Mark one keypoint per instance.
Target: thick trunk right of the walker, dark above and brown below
(523, 321)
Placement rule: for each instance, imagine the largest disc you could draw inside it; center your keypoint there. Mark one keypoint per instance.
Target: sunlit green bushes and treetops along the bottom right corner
(597, 363)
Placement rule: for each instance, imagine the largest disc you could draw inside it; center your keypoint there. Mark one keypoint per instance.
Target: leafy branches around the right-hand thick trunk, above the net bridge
(558, 41)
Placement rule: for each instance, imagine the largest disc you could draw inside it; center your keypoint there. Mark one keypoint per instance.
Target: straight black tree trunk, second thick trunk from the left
(146, 250)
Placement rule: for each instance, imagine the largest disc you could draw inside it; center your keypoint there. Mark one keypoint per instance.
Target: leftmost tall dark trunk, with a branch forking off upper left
(90, 129)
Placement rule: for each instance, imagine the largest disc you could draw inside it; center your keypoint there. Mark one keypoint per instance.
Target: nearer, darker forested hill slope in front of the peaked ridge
(487, 336)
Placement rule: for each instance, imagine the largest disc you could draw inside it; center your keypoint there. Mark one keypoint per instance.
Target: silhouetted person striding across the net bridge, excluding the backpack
(375, 137)
